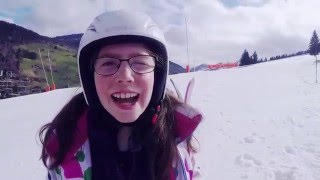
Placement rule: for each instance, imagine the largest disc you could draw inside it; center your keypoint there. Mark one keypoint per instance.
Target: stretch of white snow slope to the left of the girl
(21, 119)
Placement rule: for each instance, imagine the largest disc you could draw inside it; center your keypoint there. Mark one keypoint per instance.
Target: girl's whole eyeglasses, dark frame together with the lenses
(140, 64)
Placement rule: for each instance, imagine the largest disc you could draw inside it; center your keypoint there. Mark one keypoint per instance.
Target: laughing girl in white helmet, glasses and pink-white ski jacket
(124, 125)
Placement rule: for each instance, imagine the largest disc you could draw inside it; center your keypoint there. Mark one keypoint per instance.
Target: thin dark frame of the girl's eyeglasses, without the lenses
(155, 59)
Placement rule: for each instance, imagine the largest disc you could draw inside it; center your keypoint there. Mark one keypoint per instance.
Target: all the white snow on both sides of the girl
(262, 122)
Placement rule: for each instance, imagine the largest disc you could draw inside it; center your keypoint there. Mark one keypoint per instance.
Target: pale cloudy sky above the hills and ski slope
(218, 30)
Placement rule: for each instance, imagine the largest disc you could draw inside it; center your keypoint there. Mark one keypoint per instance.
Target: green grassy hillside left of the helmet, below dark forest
(63, 63)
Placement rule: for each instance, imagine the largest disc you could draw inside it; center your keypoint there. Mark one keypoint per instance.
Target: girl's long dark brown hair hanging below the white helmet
(162, 153)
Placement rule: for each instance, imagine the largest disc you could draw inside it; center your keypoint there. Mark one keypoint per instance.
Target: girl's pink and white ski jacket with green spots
(77, 164)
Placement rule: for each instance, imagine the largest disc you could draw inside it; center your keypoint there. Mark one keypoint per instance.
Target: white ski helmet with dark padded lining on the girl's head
(122, 26)
